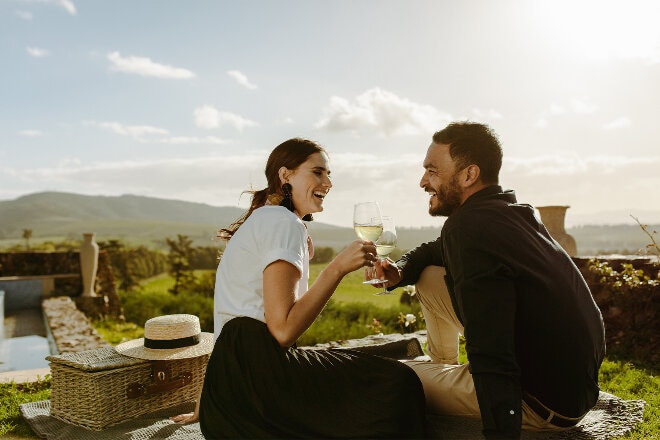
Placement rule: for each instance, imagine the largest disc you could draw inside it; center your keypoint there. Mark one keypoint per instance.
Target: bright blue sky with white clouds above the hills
(185, 100)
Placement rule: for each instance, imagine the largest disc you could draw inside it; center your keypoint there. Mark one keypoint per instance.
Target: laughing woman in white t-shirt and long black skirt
(258, 384)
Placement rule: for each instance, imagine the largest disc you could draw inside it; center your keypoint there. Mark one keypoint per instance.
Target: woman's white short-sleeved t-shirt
(271, 233)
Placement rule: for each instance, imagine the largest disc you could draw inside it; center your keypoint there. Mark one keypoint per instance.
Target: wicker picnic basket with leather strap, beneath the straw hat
(101, 388)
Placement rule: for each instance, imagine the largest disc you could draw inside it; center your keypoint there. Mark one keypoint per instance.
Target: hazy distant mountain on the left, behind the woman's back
(52, 215)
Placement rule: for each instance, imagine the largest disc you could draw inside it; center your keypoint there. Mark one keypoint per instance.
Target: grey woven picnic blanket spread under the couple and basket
(610, 418)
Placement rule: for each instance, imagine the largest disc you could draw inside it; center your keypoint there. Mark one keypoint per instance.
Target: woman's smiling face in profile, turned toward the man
(310, 183)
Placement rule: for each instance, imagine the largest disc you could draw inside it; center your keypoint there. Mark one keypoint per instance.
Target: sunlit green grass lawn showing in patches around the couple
(626, 378)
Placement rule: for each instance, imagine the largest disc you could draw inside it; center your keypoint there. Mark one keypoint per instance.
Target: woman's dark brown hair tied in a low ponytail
(289, 154)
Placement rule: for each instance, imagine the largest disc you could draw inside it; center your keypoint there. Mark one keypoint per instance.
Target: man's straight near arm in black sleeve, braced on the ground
(486, 300)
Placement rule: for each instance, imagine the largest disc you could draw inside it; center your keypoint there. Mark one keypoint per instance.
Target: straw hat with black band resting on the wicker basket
(169, 337)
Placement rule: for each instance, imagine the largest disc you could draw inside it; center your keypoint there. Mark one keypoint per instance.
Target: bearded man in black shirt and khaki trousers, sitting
(534, 335)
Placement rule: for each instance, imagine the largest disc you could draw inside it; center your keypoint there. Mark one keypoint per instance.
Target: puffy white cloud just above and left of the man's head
(380, 110)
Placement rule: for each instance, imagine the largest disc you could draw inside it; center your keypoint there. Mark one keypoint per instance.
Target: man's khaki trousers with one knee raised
(448, 386)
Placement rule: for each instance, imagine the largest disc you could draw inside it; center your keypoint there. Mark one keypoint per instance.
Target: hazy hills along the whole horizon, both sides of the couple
(146, 220)
